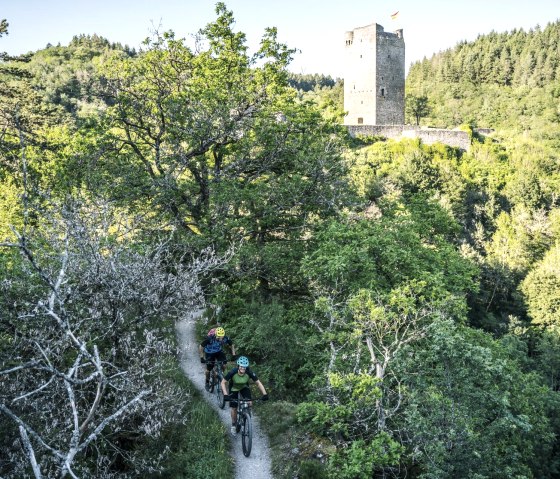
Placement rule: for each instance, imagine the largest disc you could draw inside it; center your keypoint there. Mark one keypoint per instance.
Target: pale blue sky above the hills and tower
(316, 27)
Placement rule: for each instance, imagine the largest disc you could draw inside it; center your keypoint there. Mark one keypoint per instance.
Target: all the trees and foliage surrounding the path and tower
(399, 301)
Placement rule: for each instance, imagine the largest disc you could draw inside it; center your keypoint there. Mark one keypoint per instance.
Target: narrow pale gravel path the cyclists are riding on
(257, 465)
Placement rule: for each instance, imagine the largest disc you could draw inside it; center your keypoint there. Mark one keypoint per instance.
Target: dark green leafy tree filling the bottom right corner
(471, 411)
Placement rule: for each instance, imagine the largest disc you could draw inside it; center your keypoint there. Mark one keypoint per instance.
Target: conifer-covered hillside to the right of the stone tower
(508, 81)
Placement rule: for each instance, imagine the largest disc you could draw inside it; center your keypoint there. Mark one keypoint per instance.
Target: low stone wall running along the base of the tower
(455, 138)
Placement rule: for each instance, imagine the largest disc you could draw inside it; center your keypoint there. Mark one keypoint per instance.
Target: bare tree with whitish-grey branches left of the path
(83, 333)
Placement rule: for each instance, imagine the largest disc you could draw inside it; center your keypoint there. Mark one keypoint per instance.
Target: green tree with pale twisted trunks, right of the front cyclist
(380, 284)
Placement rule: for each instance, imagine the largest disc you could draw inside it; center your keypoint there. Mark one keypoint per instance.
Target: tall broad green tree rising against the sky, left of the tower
(216, 144)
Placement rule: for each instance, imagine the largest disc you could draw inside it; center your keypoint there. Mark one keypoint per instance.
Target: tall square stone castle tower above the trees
(374, 76)
